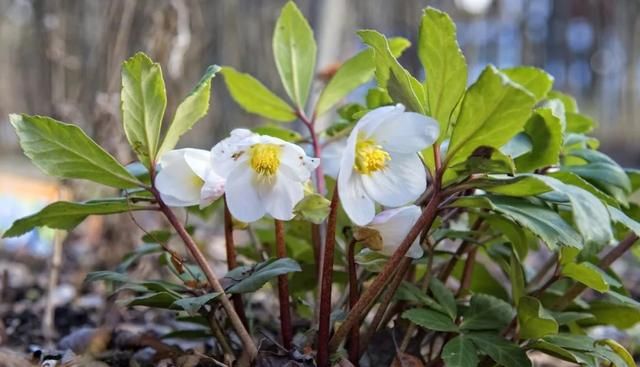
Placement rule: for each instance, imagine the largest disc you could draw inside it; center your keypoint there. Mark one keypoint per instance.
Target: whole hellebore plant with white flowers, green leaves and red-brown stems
(435, 245)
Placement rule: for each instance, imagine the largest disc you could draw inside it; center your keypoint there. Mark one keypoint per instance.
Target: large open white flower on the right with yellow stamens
(381, 162)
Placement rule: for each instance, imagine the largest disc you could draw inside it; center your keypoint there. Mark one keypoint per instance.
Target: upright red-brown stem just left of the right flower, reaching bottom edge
(324, 322)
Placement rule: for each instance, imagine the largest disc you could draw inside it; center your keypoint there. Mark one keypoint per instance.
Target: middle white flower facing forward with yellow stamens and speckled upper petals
(265, 175)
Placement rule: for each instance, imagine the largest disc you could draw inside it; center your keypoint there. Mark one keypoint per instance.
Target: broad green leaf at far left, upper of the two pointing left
(65, 151)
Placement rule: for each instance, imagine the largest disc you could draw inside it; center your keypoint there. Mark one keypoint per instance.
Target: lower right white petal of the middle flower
(281, 196)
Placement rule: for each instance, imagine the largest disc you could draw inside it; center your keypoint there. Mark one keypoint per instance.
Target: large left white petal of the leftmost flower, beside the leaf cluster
(177, 183)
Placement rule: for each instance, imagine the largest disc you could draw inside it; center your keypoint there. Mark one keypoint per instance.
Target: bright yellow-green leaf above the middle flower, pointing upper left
(255, 98)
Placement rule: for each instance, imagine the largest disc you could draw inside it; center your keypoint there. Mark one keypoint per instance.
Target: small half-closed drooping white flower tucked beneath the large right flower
(387, 230)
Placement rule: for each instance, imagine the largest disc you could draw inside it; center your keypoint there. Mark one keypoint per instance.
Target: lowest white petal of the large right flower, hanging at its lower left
(355, 201)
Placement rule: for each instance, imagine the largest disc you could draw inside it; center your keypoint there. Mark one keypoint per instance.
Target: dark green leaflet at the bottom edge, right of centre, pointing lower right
(501, 351)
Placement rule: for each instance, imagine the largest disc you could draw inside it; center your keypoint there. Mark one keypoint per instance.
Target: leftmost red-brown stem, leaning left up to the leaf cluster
(242, 332)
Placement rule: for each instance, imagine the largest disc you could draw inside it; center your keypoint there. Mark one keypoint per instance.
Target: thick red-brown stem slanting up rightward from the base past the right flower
(358, 312)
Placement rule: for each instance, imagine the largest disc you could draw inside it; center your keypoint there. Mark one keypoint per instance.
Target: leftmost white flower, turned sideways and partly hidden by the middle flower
(186, 178)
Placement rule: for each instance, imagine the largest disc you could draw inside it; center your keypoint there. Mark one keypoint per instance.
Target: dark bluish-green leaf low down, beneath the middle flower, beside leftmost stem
(251, 278)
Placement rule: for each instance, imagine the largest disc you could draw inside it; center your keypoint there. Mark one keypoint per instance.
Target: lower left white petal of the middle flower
(242, 196)
